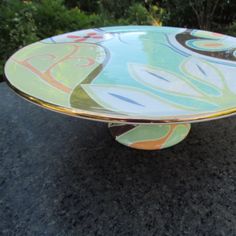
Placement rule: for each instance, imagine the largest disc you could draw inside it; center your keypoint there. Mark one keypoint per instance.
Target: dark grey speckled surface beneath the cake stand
(65, 176)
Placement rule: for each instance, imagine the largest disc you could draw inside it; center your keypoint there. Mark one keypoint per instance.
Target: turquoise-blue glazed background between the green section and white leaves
(147, 47)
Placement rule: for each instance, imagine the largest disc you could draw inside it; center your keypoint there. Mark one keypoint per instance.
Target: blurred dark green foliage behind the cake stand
(23, 22)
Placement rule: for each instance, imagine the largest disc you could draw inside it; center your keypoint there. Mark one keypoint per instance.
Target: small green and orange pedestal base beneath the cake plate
(150, 136)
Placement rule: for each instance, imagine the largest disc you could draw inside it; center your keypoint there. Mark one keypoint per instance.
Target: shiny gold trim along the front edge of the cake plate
(119, 119)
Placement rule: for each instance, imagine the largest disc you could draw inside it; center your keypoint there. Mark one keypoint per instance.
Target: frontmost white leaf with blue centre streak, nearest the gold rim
(130, 101)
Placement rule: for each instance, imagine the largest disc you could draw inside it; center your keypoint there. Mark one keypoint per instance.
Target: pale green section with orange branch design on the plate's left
(67, 64)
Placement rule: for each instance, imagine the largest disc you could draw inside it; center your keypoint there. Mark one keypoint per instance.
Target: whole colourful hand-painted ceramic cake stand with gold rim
(149, 83)
